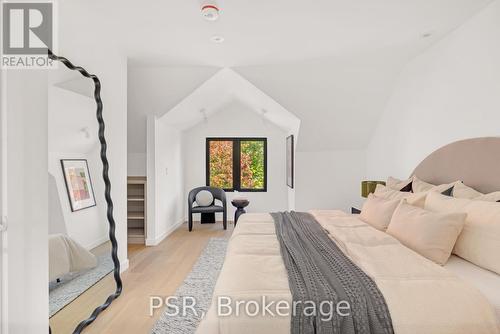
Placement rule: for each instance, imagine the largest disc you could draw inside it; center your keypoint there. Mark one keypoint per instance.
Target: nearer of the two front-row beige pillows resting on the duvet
(430, 234)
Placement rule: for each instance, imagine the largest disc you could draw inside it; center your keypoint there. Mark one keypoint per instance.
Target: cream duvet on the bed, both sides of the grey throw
(423, 298)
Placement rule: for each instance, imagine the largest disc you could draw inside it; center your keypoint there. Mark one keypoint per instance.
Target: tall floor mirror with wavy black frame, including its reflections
(84, 270)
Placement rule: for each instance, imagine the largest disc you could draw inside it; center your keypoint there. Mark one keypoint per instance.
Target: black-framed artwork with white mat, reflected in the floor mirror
(78, 183)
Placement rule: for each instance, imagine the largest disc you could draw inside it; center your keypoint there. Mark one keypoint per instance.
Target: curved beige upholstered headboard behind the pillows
(475, 161)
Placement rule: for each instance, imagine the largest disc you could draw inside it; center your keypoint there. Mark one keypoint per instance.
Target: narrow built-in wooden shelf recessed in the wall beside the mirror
(136, 210)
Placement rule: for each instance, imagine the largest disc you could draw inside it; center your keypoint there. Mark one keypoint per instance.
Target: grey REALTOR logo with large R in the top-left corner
(28, 30)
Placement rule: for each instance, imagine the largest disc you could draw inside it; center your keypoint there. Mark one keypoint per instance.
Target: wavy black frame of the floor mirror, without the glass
(107, 192)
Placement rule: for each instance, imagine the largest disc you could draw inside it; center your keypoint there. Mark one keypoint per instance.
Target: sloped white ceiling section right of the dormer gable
(338, 101)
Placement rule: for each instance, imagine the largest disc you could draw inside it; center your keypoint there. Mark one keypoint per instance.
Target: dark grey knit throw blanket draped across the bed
(320, 274)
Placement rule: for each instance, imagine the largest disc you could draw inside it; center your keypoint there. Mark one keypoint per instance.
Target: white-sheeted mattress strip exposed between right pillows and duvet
(484, 280)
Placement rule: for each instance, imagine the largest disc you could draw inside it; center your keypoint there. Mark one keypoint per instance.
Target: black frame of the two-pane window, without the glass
(236, 161)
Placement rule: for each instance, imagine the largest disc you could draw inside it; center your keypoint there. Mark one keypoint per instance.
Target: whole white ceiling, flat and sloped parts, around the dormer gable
(332, 63)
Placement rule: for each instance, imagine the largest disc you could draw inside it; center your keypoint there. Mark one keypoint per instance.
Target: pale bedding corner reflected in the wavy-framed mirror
(66, 256)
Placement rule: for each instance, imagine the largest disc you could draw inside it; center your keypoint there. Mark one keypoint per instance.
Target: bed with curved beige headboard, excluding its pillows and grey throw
(421, 296)
